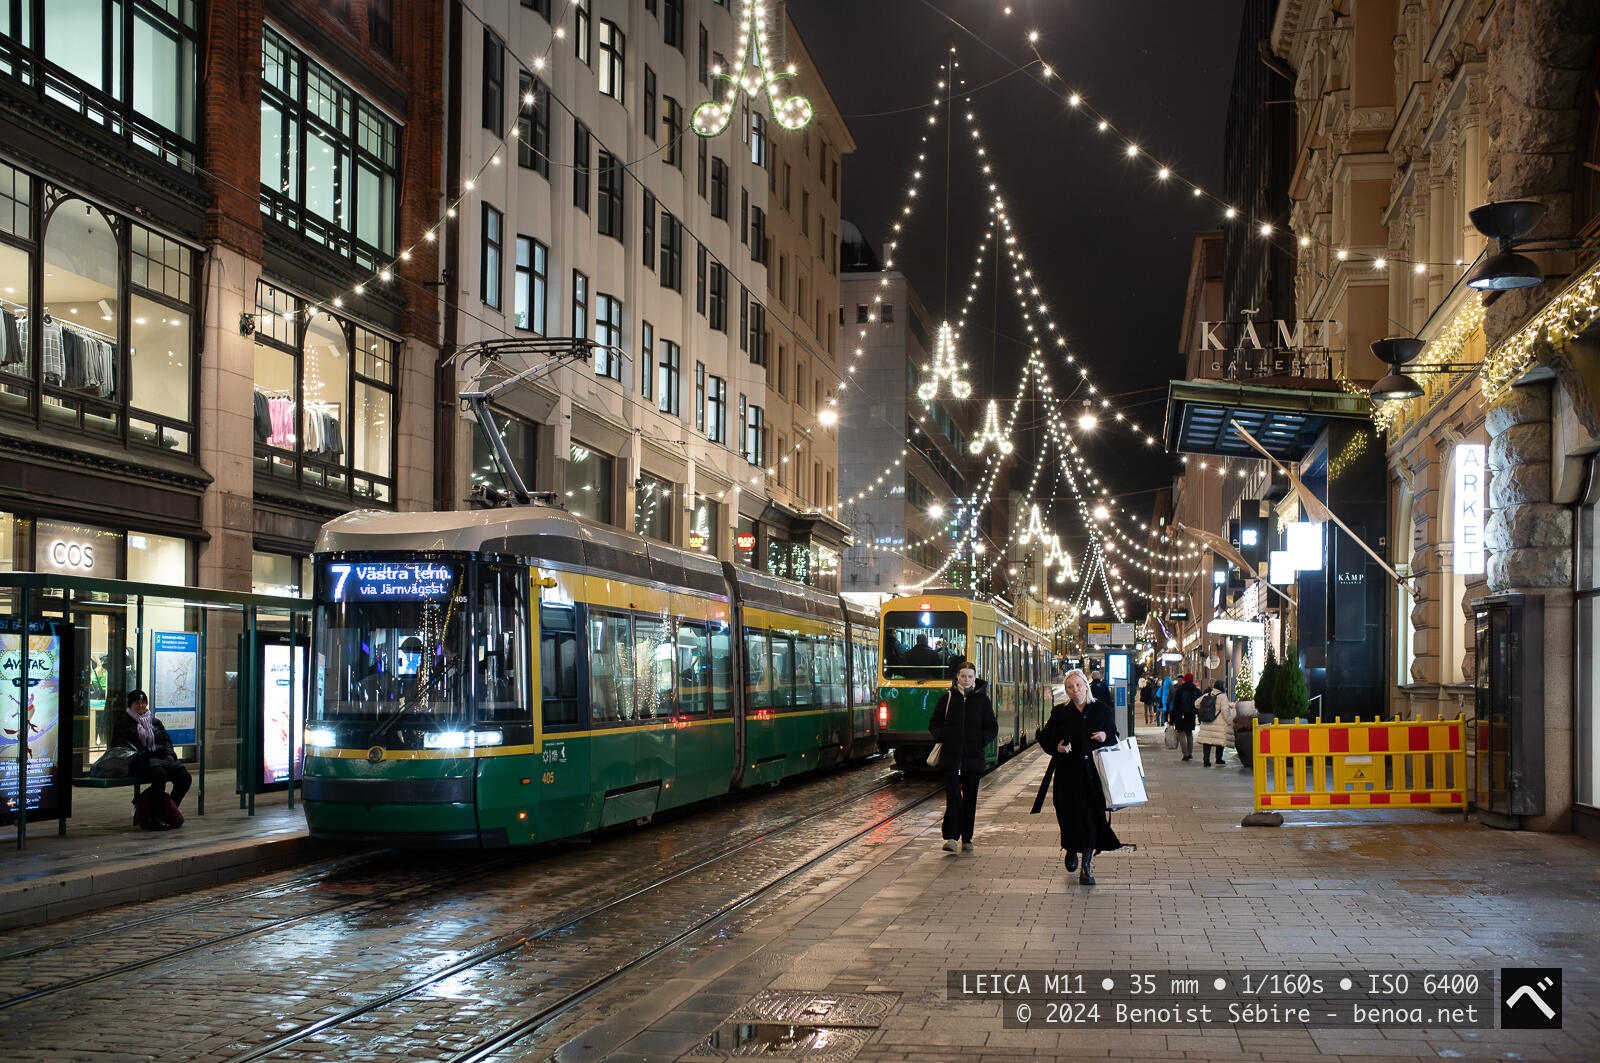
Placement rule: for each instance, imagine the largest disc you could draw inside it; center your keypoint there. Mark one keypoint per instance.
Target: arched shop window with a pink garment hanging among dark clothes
(324, 401)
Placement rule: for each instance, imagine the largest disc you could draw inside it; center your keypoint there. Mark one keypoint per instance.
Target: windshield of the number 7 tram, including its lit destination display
(391, 646)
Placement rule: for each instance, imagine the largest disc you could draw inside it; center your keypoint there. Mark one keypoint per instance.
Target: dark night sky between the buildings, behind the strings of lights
(1108, 244)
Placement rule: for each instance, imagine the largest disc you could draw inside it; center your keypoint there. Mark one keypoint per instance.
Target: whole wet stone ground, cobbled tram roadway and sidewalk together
(871, 929)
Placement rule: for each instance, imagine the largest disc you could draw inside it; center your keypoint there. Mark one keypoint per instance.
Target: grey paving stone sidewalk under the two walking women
(1351, 891)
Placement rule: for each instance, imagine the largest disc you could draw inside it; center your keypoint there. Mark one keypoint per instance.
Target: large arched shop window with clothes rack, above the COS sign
(106, 347)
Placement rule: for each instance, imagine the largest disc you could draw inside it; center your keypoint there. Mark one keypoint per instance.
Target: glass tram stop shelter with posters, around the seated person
(226, 675)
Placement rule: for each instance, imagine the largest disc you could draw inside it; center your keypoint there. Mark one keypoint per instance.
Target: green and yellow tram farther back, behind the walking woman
(924, 638)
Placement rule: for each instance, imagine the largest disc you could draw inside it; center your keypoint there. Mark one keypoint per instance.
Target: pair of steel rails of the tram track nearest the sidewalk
(535, 933)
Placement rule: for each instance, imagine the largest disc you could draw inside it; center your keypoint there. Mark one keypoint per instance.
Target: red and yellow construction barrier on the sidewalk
(1361, 766)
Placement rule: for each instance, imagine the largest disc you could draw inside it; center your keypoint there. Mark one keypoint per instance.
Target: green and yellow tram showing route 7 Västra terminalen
(513, 676)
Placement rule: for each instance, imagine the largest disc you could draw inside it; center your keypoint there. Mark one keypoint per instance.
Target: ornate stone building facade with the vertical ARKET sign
(1410, 116)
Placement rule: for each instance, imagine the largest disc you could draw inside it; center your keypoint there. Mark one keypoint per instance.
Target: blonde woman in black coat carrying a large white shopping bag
(1076, 729)
